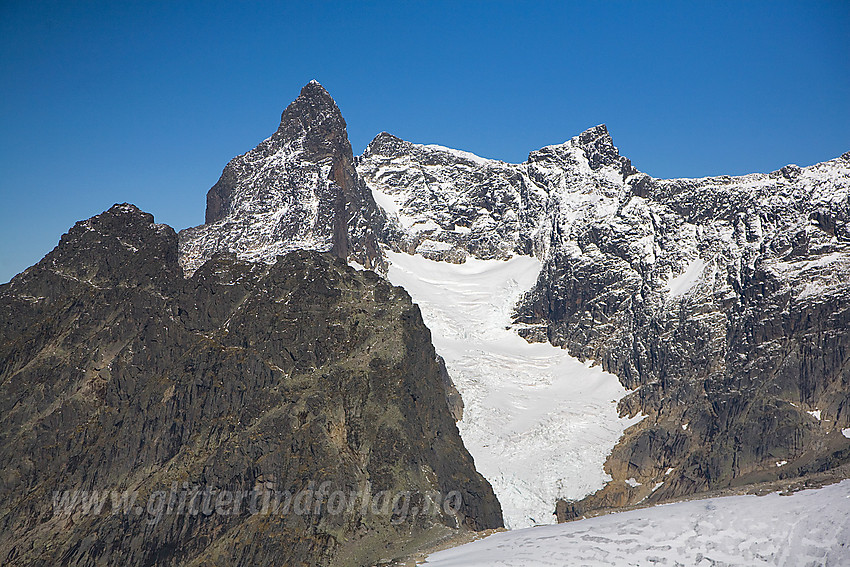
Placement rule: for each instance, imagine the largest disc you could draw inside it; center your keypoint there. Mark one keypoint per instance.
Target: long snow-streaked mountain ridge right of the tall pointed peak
(693, 291)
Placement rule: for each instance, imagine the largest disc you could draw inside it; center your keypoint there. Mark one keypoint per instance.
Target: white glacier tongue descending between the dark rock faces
(537, 421)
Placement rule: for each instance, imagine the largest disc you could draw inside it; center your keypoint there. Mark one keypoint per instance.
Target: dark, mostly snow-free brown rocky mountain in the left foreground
(118, 374)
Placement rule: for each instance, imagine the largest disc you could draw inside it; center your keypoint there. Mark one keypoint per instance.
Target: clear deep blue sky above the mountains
(104, 102)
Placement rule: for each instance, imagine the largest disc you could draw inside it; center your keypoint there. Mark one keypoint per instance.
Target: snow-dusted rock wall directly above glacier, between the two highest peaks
(446, 204)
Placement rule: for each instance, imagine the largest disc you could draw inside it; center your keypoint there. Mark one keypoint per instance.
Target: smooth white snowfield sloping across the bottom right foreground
(811, 527)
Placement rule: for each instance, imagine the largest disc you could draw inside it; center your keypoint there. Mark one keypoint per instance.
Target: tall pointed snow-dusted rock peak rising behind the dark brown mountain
(297, 190)
